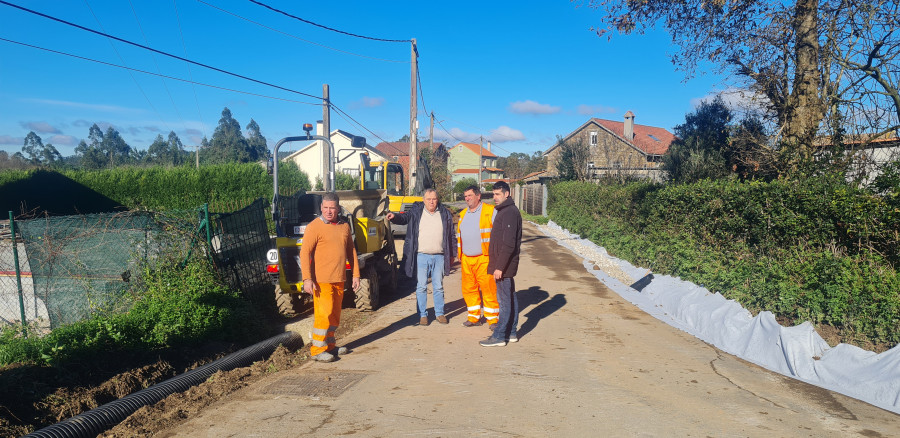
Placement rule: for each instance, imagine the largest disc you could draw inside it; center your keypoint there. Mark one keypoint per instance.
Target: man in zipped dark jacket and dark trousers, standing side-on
(503, 262)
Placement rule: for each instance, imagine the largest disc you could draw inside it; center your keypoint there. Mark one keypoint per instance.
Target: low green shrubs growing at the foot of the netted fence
(174, 307)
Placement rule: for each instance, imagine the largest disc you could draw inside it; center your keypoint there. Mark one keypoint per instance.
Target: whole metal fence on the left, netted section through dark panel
(58, 270)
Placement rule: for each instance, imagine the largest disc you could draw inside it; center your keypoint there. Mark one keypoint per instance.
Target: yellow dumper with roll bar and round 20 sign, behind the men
(364, 210)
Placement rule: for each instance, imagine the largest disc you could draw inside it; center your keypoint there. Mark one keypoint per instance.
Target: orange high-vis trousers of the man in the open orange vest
(475, 277)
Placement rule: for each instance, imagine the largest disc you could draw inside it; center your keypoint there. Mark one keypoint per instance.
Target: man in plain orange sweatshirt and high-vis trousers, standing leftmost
(326, 249)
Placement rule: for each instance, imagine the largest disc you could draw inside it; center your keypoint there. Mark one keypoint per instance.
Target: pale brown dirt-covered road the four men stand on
(587, 364)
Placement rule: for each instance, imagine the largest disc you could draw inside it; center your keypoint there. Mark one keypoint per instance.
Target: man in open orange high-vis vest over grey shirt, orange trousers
(473, 235)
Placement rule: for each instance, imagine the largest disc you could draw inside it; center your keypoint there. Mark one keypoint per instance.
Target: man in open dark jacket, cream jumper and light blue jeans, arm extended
(428, 250)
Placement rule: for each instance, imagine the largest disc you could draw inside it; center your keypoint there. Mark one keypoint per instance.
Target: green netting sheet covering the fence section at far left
(80, 265)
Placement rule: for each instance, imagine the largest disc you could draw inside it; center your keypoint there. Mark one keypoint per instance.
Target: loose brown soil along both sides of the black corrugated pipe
(34, 397)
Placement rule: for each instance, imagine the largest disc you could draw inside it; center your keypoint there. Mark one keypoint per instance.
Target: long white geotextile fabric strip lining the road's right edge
(797, 352)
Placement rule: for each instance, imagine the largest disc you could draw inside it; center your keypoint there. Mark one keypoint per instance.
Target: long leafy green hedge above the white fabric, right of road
(815, 250)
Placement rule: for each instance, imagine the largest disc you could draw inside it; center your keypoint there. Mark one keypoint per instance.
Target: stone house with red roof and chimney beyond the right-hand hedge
(618, 148)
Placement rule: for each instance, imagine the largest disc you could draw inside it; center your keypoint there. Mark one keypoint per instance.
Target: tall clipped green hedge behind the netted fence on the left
(154, 188)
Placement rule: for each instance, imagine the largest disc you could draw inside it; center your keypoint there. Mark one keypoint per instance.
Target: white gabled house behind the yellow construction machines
(309, 158)
